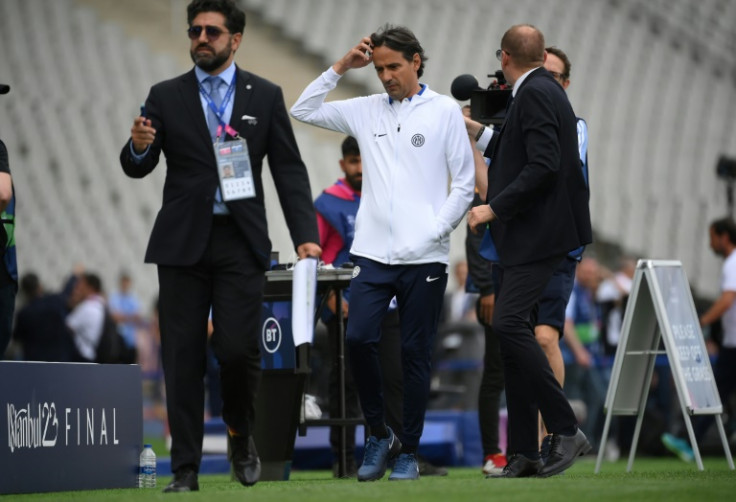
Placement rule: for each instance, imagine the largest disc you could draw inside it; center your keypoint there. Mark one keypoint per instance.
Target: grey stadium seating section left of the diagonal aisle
(76, 85)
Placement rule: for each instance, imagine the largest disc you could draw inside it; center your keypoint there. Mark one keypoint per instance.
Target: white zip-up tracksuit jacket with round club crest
(408, 148)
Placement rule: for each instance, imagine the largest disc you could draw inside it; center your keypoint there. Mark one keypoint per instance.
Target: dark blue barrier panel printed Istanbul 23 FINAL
(69, 426)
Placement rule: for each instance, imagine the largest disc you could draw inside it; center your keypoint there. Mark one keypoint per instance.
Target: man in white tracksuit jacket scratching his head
(410, 139)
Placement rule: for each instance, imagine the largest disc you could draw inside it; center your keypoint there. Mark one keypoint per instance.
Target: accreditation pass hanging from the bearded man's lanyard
(234, 170)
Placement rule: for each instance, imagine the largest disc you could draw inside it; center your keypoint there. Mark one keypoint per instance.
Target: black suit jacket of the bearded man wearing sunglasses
(183, 224)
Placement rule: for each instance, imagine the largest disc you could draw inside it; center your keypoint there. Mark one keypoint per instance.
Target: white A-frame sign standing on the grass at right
(661, 307)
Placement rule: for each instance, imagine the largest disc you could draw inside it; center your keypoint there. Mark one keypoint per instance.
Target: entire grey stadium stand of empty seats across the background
(655, 79)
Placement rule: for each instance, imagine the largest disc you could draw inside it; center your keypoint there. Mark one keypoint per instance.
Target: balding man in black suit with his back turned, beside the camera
(537, 207)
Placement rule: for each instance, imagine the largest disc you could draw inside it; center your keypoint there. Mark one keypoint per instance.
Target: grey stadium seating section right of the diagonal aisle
(655, 81)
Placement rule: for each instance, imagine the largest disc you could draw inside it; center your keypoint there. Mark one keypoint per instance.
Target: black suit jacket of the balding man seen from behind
(535, 184)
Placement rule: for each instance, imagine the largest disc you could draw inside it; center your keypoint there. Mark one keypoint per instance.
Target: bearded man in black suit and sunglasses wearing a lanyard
(212, 248)
